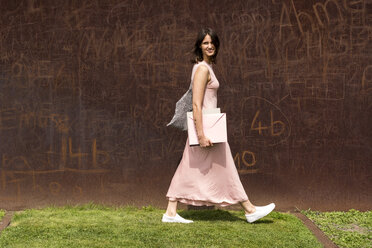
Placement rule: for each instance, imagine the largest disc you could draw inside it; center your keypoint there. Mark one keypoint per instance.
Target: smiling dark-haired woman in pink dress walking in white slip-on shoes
(207, 174)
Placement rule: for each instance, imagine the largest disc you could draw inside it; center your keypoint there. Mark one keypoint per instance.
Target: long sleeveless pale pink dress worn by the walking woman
(207, 176)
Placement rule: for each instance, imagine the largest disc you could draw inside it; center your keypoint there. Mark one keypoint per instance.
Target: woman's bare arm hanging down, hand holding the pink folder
(200, 81)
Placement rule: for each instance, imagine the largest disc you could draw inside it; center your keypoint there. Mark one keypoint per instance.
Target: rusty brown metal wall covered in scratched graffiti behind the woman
(87, 87)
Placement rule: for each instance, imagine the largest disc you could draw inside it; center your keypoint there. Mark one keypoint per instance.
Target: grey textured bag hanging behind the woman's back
(183, 106)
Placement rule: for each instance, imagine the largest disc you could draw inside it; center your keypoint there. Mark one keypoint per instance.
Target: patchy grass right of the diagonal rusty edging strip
(345, 229)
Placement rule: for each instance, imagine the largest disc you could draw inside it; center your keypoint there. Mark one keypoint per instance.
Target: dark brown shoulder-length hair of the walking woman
(197, 50)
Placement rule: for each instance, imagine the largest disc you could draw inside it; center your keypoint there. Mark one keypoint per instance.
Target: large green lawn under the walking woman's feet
(98, 226)
